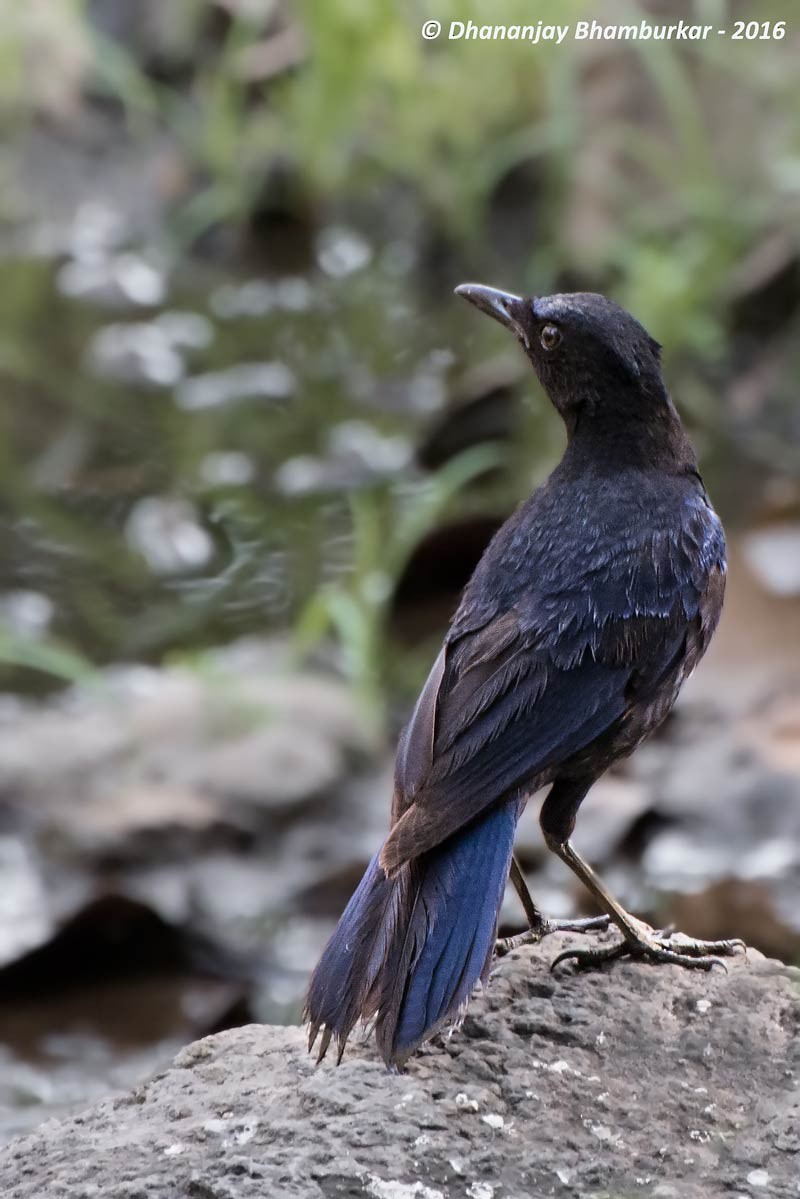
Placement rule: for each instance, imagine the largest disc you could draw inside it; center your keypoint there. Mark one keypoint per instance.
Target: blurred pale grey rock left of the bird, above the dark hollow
(183, 788)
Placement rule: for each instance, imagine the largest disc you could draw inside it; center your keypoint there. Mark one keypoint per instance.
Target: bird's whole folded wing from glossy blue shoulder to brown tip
(516, 694)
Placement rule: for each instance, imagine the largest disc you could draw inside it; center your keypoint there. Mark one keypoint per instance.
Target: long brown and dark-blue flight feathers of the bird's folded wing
(495, 714)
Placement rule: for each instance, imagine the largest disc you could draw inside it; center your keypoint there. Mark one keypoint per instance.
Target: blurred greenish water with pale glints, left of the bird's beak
(178, 444)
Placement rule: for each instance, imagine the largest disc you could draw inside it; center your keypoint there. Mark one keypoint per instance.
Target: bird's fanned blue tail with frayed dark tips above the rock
(410, 949)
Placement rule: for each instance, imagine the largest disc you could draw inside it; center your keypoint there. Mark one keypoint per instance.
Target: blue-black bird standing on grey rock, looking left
(588, 611)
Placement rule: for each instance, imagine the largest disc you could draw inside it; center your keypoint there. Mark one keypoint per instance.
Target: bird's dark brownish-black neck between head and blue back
(641, 431)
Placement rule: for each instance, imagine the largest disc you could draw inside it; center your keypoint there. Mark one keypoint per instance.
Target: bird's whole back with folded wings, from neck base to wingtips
(588, 611)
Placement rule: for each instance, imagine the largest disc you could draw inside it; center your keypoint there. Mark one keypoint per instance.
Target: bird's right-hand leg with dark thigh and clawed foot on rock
(640, 941)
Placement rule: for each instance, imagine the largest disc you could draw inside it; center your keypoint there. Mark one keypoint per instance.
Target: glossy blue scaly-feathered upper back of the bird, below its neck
(592, 549)
